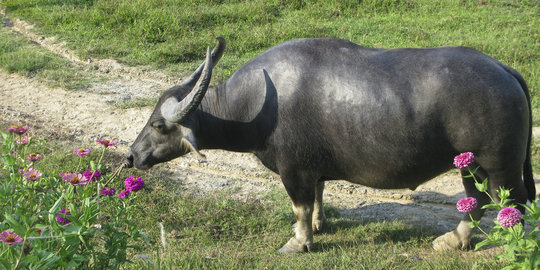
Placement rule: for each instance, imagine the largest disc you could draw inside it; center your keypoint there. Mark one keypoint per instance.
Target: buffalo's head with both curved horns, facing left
(167, 134)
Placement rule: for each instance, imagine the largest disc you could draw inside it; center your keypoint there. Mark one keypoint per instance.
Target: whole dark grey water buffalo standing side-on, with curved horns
(321, 109)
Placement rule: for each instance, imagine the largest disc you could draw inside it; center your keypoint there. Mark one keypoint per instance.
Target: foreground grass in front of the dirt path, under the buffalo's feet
(217, 231)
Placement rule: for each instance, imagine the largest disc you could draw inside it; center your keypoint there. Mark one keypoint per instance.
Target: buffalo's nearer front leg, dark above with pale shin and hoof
(301, 190)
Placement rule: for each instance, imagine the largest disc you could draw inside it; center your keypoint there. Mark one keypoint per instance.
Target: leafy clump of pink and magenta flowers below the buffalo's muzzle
(74, 213)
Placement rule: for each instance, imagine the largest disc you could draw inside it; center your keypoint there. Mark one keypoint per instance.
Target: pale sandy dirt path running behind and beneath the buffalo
(90, 114)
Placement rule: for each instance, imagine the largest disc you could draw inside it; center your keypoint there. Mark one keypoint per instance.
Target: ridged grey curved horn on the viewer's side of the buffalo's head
(181, 110)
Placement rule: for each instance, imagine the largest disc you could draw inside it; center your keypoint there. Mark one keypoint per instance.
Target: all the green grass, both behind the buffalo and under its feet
(220, 232)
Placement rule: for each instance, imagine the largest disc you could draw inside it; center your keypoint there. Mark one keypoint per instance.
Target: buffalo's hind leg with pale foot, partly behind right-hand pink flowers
(460, 237)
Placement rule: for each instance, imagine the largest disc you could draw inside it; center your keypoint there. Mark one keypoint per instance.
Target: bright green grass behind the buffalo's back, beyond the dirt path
(172, 35)
